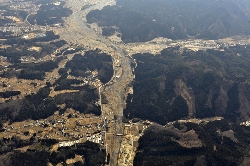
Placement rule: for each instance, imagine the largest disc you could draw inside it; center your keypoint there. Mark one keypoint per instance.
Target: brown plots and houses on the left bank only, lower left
(79, 128)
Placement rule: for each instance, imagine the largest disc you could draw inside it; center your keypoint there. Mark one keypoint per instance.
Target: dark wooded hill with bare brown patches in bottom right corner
(215, 143)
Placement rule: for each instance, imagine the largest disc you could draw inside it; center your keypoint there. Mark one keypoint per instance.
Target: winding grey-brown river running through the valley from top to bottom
(118, 85)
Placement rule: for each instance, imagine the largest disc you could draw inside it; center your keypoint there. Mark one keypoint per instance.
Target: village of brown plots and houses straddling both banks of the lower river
(73, 128)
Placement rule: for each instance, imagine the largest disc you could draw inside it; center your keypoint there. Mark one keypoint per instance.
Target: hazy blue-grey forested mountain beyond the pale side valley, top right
(175, 19)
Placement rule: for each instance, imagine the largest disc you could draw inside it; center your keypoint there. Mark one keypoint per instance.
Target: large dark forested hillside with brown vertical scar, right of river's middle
(179, 84)
